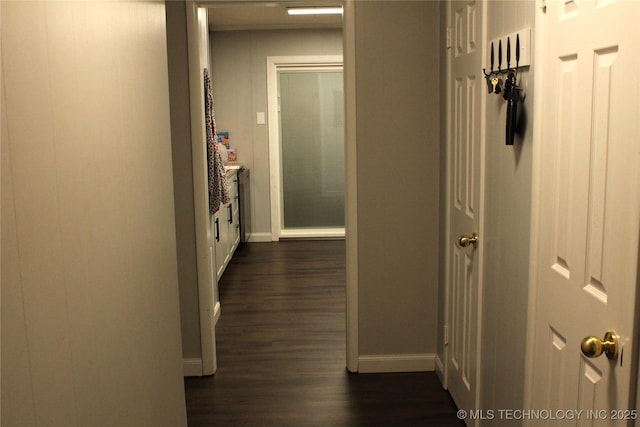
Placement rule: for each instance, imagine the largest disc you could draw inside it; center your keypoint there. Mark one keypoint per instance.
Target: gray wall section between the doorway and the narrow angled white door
(398, 175)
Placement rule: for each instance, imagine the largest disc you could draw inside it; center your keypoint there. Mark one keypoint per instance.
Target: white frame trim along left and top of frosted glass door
(275, 64)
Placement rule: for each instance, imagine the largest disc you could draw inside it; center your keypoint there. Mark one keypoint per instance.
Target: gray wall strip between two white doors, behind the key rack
(507, 226)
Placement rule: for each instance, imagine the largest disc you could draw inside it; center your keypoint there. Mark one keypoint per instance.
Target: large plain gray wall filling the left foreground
(90, 318)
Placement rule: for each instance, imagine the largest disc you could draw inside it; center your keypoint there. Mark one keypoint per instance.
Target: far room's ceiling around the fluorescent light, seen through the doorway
(267, 15)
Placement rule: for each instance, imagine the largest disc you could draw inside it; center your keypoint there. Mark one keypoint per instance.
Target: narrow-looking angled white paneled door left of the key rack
(466, 83)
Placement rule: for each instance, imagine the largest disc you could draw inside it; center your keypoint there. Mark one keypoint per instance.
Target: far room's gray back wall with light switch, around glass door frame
(240, 90)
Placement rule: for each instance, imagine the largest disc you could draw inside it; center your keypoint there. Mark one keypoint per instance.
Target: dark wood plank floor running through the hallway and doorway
(281, 351)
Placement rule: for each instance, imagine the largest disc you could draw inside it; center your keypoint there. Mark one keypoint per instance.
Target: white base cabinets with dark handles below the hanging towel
(225, 225)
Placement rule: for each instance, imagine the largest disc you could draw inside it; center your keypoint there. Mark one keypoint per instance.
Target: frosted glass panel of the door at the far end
(312, 148)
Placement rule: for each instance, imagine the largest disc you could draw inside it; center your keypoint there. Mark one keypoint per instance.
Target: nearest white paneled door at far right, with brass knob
(589, 206)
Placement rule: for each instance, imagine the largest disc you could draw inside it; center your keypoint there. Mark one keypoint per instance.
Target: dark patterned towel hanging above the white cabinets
(218, 186)
